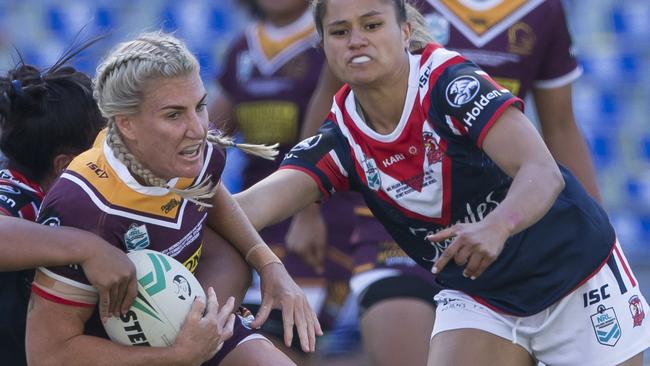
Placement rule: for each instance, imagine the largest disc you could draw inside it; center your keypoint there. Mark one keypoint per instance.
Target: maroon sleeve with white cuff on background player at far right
(560, 66)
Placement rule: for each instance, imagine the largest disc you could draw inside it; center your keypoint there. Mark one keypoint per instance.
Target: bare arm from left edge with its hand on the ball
(26, 244)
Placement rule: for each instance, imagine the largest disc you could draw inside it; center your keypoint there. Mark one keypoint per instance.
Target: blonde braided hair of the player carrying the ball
(119, 84)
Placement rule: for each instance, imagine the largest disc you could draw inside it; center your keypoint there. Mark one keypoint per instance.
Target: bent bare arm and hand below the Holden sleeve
(516, 147)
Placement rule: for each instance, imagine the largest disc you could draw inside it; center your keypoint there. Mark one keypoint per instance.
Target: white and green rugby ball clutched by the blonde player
(166, 291)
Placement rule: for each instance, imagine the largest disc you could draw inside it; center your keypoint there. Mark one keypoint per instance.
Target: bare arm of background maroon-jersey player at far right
(563, 137)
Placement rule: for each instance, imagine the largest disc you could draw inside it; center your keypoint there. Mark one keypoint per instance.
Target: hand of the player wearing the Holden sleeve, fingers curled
(474, 246)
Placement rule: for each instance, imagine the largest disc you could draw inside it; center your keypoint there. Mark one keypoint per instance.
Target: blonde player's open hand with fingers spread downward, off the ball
(279, 291)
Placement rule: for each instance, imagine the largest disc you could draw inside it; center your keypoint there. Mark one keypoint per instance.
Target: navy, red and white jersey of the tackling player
(431, 173)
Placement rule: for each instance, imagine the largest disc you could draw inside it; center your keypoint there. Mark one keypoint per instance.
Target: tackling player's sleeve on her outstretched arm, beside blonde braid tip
(322, 158)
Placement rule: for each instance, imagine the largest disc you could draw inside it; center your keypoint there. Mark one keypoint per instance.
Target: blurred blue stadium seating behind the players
(611, 99)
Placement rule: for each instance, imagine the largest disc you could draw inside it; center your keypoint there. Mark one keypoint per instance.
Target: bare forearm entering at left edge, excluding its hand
(26, 244)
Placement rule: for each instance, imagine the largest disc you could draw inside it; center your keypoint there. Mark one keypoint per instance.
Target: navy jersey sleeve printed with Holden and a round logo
(467, 101)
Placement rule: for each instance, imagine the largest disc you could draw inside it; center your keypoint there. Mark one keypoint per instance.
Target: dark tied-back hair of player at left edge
(44, 113)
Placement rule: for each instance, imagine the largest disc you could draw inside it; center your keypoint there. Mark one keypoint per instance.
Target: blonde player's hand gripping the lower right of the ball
(203, 335)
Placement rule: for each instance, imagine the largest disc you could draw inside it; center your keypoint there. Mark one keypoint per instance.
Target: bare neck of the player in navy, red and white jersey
(383, 104)
